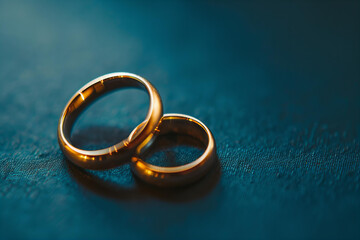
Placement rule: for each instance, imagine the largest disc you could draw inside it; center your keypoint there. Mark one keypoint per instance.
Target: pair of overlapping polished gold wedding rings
(132, 149)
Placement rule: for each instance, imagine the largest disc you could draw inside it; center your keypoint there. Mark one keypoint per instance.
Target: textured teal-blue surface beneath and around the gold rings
(277, 83)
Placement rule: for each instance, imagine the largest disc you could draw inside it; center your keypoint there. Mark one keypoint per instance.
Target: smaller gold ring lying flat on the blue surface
(180, 175)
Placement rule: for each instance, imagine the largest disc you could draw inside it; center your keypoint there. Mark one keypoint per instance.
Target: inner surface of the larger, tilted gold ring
(89, 95)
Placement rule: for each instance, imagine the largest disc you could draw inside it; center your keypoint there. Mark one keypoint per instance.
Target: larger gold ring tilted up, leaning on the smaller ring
(121, 152)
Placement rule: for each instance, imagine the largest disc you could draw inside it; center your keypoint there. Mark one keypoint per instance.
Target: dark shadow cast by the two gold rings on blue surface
(140, 190)
